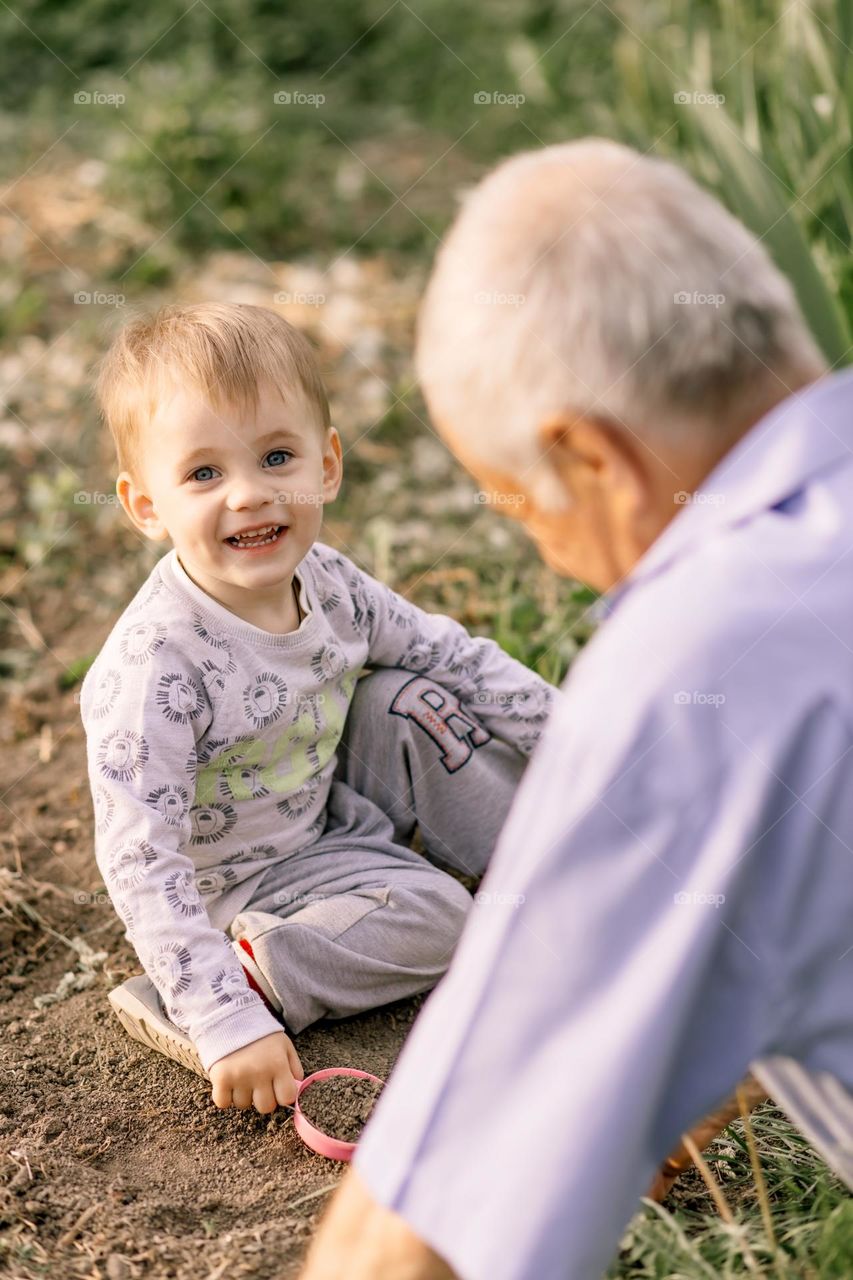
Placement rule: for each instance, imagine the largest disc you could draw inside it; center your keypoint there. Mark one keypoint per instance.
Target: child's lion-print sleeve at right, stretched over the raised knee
(509, 700)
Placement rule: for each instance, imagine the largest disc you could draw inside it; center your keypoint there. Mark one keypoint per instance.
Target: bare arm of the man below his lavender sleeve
(363, 1241)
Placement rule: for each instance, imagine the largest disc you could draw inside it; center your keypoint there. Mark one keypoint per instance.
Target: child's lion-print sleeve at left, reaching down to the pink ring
(144, 711)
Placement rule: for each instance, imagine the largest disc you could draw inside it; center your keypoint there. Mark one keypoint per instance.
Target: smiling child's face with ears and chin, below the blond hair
(240, 493)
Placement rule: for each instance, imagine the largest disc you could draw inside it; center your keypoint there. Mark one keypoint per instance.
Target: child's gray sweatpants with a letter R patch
(358, 918)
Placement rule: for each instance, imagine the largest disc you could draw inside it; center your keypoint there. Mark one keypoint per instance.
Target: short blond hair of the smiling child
(221, 350)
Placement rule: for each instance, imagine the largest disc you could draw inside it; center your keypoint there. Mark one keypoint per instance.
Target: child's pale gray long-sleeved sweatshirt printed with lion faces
(212, 748)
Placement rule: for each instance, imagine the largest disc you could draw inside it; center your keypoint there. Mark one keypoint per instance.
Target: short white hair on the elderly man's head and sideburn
(587, 278)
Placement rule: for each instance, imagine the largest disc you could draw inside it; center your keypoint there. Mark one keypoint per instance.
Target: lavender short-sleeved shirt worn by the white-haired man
(672, 898)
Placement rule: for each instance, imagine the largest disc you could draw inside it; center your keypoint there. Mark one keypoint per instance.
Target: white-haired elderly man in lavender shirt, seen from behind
(672, 898)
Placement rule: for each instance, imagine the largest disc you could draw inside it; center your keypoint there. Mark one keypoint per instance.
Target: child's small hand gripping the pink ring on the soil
(264, 1073)
